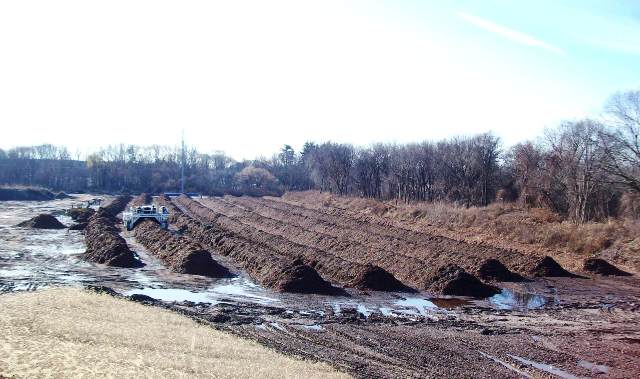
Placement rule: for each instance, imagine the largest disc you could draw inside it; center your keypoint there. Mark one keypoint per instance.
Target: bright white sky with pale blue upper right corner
(246, 77)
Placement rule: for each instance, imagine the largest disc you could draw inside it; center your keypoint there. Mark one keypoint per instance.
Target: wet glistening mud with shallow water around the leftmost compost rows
(32, 259)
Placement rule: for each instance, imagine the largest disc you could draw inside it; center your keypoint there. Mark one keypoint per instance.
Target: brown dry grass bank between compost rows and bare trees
(535, 231)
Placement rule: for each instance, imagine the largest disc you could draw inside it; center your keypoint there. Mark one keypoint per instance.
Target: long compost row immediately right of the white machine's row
(281, 273)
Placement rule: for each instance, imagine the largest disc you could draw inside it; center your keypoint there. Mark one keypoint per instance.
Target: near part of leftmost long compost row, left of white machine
(104, 243)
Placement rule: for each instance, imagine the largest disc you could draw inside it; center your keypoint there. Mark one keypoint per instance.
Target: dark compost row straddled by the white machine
(179, 254)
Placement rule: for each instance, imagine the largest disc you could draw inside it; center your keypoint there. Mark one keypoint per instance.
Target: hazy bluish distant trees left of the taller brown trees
(134, 169)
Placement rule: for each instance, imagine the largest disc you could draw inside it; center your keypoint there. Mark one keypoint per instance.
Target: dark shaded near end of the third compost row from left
(302, 278)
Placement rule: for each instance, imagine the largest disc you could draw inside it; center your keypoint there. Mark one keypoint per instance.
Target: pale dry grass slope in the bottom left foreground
(75, 333)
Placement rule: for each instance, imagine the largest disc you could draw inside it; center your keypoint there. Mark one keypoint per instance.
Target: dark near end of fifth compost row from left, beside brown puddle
(455, 281)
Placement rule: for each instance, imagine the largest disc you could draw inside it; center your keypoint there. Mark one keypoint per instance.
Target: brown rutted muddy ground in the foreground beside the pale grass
(586, 330)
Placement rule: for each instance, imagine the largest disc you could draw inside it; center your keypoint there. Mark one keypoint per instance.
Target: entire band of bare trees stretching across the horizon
(584, 170)
